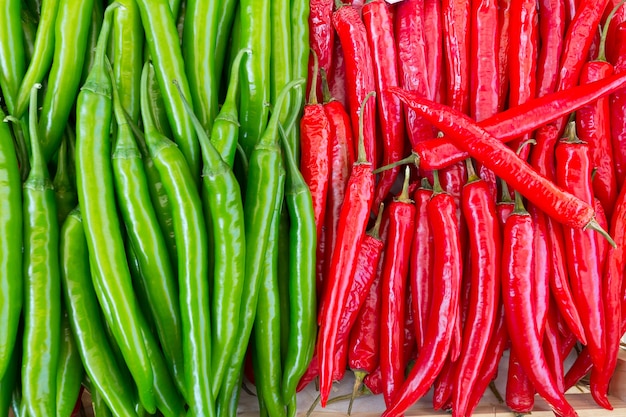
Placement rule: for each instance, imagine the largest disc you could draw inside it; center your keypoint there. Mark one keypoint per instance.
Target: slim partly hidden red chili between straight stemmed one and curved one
(421, 265)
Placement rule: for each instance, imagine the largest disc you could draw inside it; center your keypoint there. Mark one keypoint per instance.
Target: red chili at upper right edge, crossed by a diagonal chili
(617, 103)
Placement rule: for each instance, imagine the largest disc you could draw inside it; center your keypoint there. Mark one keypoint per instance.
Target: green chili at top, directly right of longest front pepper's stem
(127, 41)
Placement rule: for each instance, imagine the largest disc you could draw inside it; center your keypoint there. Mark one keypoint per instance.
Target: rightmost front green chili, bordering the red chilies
(302, 298)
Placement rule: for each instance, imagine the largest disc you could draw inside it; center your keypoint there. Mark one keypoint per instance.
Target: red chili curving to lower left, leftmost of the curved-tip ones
(447, 272)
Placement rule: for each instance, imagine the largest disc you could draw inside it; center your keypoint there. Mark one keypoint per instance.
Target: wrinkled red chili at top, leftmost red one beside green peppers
(321, 35)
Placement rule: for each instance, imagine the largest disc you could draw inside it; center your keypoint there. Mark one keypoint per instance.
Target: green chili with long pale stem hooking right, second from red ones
(261, 193)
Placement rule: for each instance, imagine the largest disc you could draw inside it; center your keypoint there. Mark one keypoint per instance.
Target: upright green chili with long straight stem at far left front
(42, 285)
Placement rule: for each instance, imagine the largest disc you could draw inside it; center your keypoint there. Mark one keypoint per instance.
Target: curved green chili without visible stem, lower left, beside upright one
(85, 319)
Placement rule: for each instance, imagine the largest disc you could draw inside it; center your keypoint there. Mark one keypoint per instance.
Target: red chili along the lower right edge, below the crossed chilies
(612, 290)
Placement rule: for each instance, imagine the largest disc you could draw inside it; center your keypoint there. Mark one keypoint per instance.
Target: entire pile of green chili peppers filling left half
(148, 180)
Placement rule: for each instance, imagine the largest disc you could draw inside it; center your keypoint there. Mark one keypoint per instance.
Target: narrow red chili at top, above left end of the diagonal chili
(434, 52)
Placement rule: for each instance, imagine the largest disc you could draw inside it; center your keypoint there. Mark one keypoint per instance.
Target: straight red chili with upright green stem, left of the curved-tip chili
(395, 271)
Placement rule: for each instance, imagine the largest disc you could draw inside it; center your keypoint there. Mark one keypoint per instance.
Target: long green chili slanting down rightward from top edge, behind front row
(163, 43)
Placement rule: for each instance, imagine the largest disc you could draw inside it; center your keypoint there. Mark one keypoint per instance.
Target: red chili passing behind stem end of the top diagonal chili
(574, 173)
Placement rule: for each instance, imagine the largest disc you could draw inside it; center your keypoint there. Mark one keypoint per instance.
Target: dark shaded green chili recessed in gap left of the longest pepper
(64, 187)
